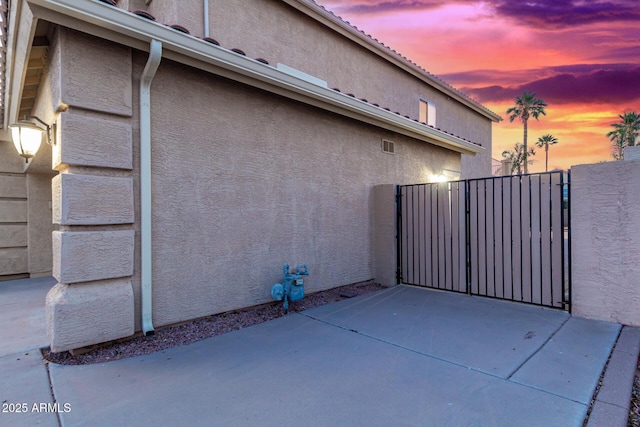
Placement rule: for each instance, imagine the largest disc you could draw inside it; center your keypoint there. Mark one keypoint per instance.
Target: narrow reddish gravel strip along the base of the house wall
(203, 328)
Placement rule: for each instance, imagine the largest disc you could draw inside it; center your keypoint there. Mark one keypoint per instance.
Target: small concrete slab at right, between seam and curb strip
(570, 364)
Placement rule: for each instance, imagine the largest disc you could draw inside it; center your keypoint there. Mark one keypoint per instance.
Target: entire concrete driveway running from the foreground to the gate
(404, 356)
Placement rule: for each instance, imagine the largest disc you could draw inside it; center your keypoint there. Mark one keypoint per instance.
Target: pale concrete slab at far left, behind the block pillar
(22, 315)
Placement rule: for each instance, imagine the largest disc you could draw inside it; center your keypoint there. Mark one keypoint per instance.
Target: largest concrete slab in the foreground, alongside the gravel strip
(299, 371)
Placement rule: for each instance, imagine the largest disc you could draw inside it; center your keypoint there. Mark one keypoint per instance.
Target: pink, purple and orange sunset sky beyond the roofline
(582, 57)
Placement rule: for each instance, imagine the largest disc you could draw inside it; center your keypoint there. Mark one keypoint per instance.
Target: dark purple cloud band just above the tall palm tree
(599, 86)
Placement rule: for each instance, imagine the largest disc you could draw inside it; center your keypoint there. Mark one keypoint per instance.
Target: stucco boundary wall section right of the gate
(606, 241)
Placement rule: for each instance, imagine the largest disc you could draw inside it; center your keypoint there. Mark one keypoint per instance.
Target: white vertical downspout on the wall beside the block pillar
(155, 54)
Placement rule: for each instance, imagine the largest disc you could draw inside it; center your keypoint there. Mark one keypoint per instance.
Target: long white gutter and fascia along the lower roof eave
(115, 24)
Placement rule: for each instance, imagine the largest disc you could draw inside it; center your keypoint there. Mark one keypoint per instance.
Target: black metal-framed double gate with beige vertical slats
(502, 237)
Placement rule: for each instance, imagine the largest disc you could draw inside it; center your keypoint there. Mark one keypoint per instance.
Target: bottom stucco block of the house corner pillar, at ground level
(89, 313)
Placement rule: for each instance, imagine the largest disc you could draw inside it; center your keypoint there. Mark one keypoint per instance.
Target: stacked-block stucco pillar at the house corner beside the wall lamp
(93, 199)
